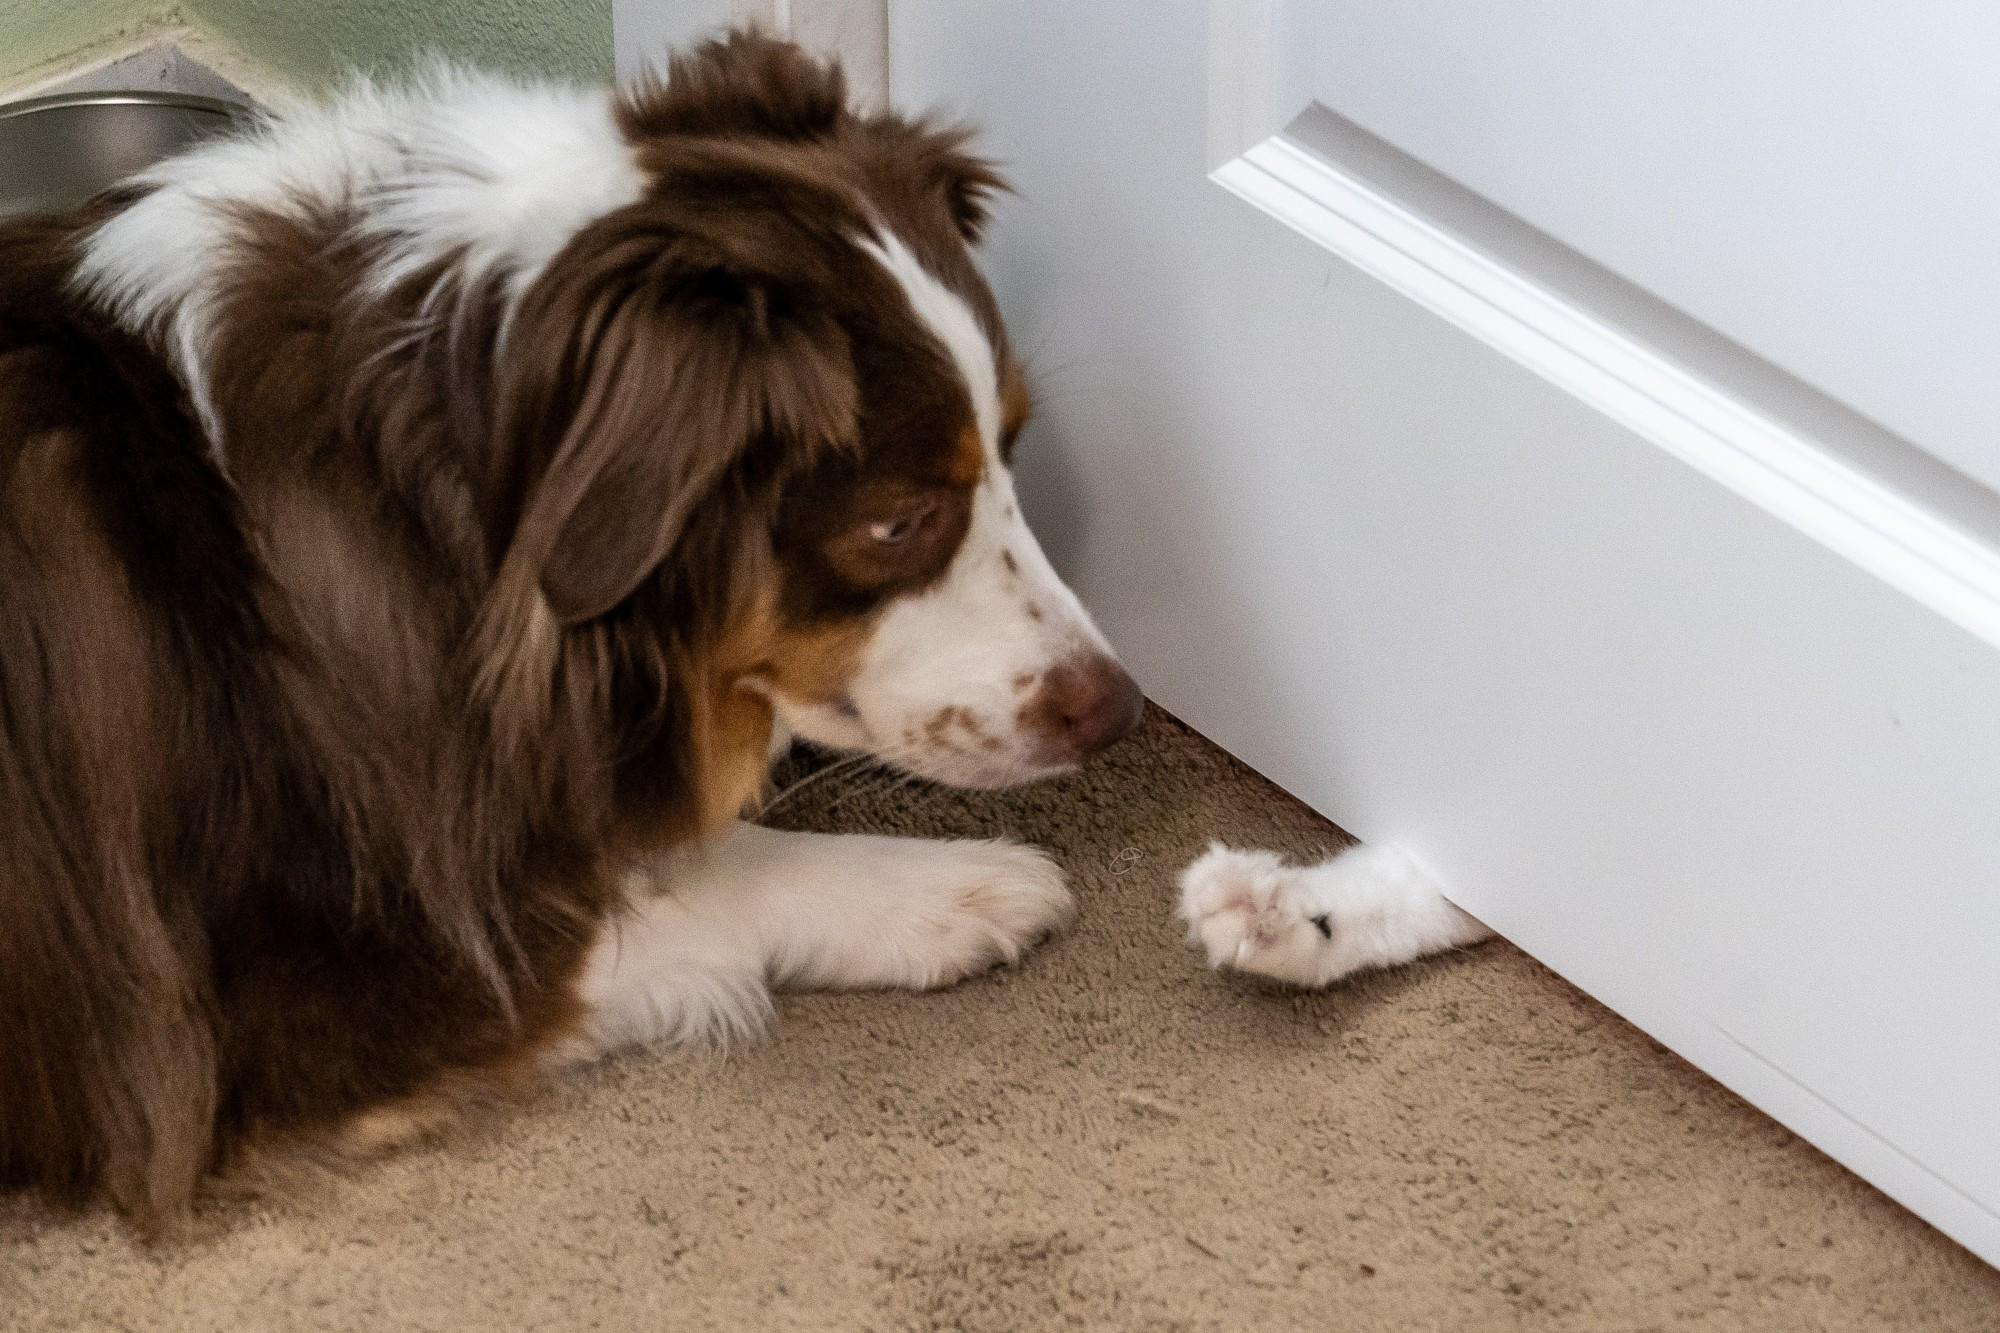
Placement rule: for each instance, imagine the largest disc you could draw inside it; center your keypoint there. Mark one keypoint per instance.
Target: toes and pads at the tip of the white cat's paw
(1245, 910)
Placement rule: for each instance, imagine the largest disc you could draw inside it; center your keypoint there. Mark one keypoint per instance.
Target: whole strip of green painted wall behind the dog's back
(313, 43)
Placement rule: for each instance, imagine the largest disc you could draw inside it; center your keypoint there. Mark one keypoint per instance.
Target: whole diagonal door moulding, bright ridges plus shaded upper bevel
(1777, 443)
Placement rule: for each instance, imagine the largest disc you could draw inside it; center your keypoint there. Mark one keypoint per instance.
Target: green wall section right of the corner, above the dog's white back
(313, 43)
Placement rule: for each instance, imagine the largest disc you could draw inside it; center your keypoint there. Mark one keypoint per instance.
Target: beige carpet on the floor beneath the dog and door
(1107, 1138)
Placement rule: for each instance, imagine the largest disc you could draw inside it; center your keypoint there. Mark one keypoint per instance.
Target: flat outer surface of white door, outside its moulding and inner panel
(1701, 766)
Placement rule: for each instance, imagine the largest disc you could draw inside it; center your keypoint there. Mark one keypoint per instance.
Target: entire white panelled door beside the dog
(1421, 465)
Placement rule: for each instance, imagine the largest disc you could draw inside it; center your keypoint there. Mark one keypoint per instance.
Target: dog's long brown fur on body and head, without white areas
(317, 772)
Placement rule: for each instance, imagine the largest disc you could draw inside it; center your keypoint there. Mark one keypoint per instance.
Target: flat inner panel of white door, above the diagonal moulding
(1815, 179)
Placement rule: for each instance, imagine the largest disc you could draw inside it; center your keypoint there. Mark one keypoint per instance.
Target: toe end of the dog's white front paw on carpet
(987, 906)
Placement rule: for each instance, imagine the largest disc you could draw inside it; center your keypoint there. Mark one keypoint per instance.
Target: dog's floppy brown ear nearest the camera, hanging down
(643, 381)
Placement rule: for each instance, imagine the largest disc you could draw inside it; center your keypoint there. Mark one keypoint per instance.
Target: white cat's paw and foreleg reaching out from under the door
(1313, 926)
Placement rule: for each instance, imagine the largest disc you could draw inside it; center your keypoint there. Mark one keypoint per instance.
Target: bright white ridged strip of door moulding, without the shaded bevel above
(1779, 465)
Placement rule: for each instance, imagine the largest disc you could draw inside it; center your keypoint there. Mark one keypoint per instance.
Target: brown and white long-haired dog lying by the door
(421, 521)
